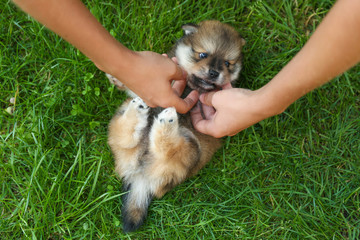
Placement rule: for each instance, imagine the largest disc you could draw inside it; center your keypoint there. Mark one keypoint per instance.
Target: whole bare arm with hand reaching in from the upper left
(148, 74)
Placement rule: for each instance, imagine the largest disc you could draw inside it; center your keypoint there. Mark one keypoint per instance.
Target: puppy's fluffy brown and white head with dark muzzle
(210, 53)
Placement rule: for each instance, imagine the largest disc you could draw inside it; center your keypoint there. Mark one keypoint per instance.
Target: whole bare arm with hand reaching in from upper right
(332, 49)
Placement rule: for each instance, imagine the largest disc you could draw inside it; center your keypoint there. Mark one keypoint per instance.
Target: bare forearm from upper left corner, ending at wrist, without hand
(73, 21)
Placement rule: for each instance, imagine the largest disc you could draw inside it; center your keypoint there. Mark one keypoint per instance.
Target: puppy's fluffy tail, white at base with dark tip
(135, 205)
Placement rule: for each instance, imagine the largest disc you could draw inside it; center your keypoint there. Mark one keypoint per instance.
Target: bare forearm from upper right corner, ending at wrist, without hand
(332, 49)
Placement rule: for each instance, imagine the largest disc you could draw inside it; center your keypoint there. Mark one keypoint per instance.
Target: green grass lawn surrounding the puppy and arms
(293, 176)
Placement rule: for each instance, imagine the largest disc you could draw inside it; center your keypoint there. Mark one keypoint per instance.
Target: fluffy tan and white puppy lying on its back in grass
(156, 149)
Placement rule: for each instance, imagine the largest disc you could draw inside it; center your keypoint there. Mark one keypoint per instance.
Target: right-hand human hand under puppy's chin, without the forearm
(228, 111)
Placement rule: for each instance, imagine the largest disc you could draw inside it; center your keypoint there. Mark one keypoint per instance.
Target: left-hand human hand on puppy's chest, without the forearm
(150, 77)
